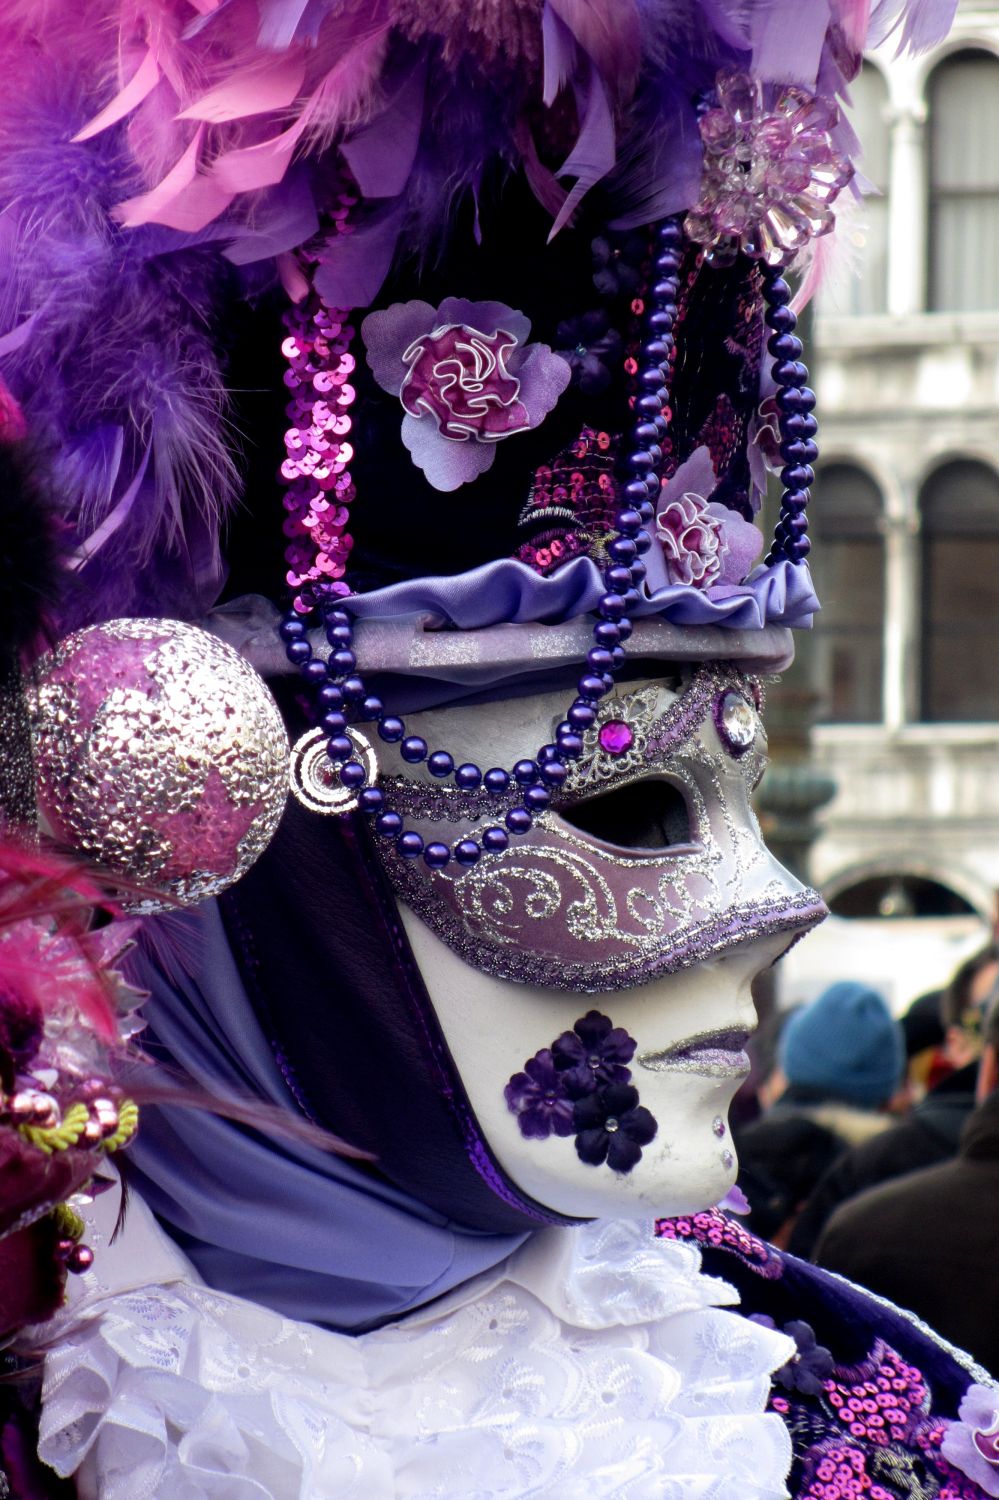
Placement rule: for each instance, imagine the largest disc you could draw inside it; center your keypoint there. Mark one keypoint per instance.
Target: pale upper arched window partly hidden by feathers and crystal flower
(866, 289)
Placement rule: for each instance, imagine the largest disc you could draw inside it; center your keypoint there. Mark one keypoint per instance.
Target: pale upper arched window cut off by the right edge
(964, 103)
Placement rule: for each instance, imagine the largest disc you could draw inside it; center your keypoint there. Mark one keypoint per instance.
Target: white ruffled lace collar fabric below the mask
(596, 1363)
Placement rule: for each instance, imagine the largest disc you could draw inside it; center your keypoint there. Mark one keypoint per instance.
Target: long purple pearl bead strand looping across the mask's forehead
(341, 695)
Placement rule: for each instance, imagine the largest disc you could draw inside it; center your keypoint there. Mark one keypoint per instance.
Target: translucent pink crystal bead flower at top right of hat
(770, 175)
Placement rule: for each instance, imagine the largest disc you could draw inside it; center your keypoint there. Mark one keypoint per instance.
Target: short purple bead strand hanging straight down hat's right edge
(796, 422)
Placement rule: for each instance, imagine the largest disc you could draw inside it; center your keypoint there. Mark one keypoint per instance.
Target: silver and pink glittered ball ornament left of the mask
(161, 757)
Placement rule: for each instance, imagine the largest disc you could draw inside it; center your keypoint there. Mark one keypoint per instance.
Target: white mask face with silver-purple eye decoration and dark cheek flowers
(602, 1081)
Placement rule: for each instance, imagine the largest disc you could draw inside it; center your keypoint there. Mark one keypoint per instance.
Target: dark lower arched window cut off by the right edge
(961, 593)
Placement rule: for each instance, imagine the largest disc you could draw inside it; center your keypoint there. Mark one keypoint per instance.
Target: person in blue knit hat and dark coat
(842, 1058)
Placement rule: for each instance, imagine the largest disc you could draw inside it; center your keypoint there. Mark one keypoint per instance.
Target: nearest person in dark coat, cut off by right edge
(928, 1241)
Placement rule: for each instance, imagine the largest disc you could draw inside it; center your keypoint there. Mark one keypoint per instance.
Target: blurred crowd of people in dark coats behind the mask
(871, 1147)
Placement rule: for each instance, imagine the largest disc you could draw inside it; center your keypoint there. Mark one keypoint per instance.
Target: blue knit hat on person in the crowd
(845, 1046)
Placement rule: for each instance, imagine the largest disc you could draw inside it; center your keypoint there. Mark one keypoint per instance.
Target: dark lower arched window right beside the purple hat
(848, 568)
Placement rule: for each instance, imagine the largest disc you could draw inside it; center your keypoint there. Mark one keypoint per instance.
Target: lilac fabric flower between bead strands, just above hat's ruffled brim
(703, 544)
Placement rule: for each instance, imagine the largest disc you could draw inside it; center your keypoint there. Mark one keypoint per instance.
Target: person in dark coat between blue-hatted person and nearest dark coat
(932, 1132)
